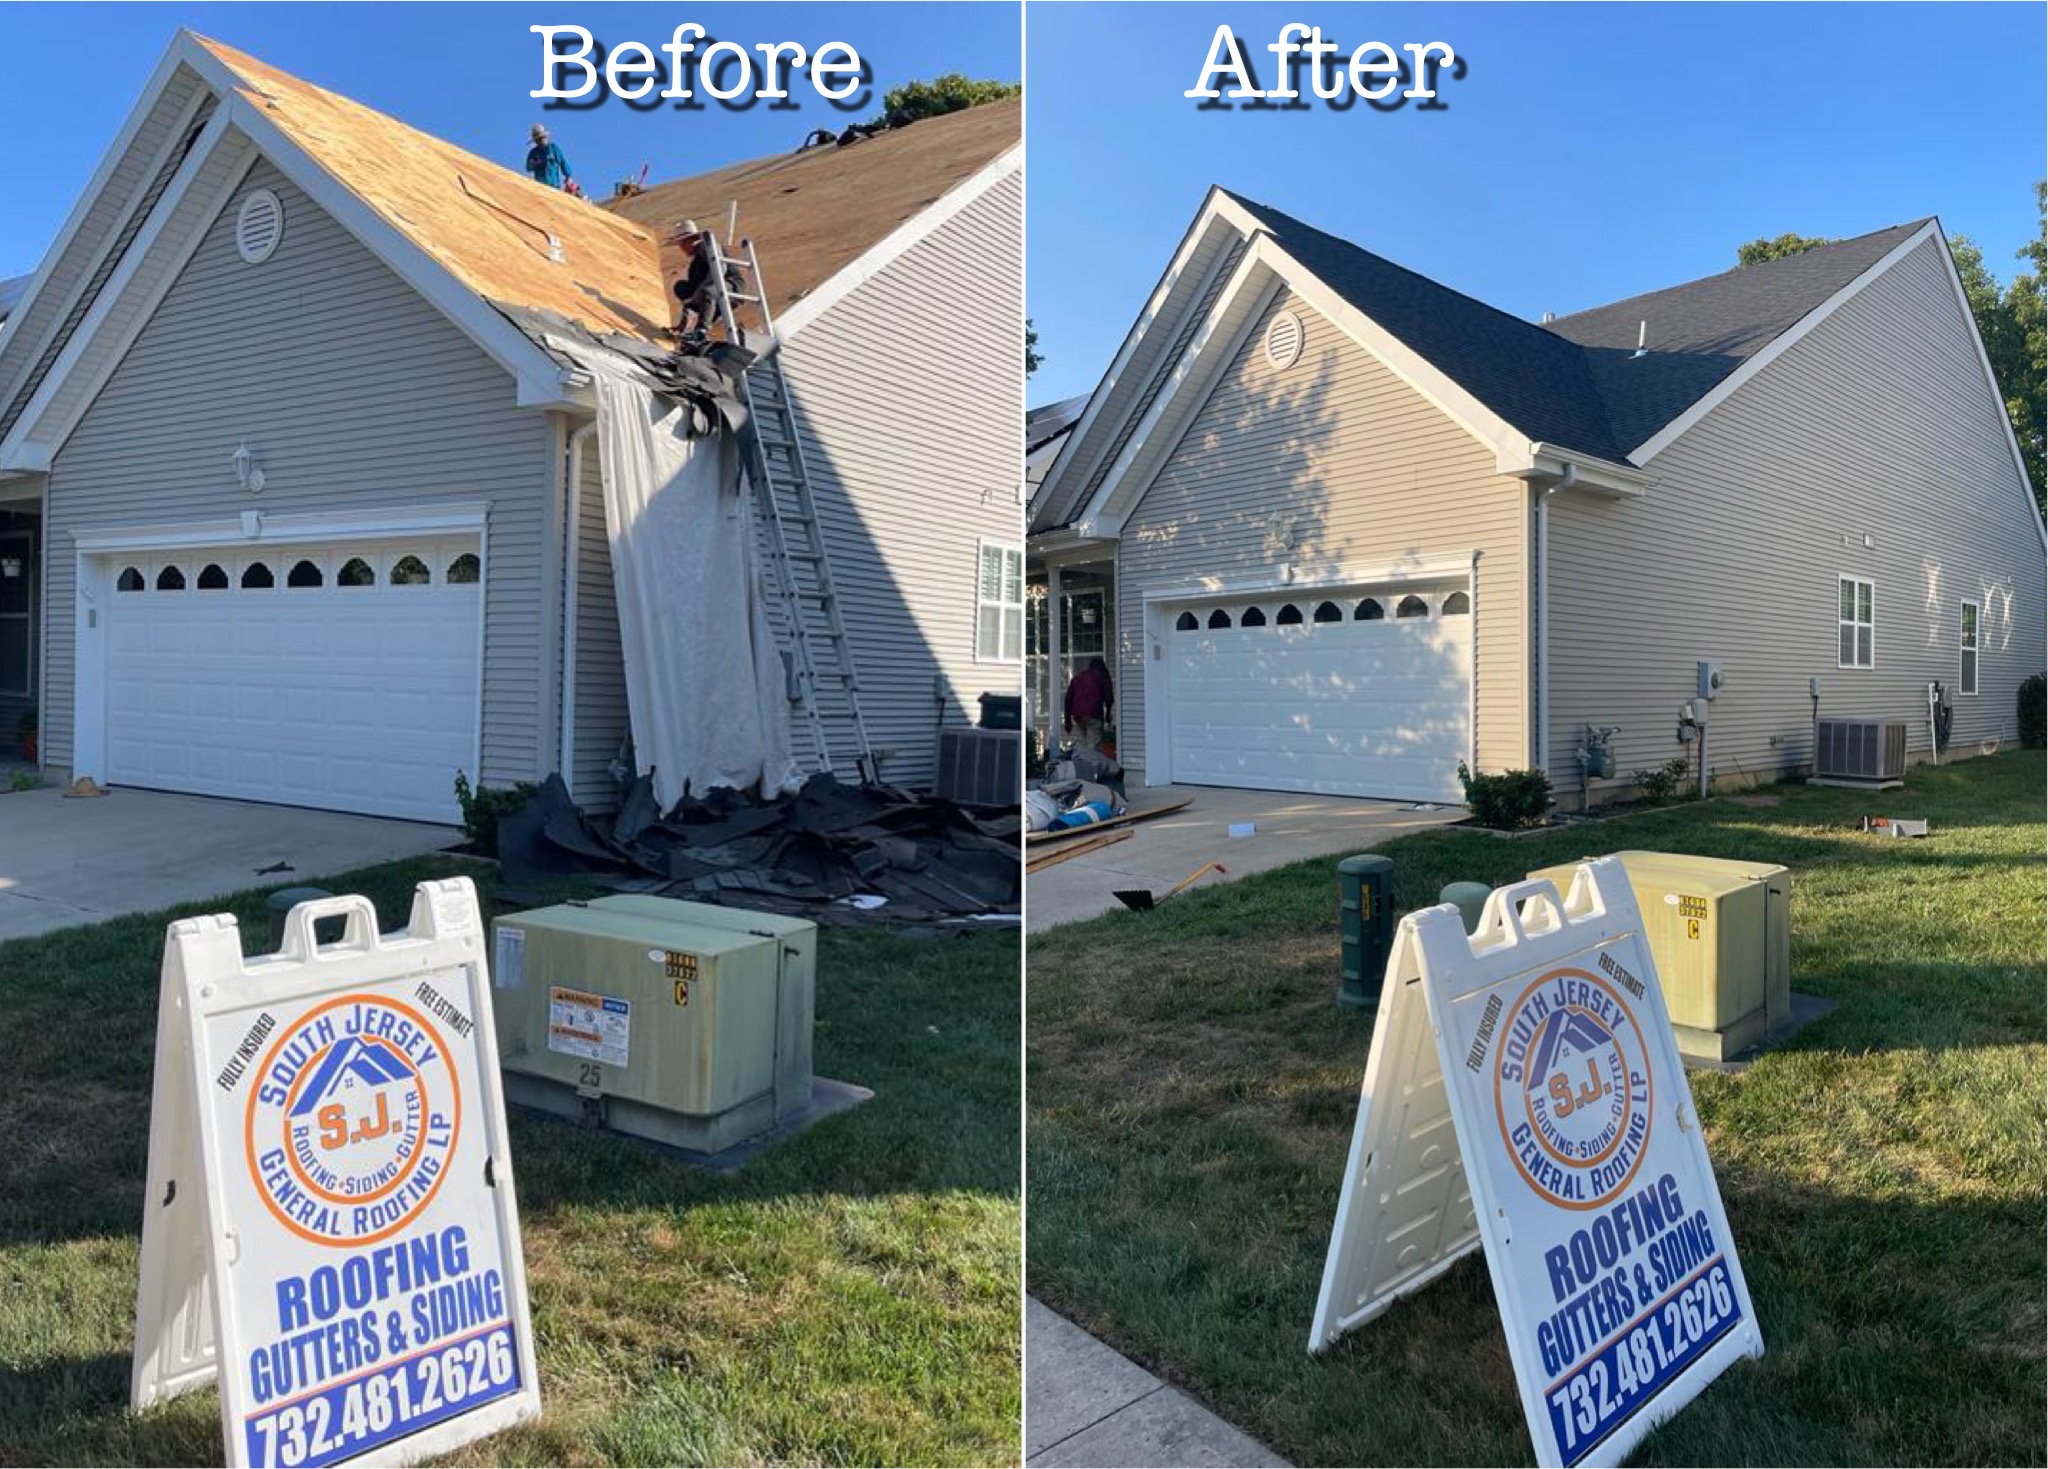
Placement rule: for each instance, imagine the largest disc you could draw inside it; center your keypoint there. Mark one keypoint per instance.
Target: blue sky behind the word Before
(458, 71)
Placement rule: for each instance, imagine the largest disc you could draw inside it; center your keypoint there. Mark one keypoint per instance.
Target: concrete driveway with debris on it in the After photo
(1166, 849)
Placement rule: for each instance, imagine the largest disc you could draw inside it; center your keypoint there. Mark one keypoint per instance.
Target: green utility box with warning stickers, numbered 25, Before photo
(681, 1023)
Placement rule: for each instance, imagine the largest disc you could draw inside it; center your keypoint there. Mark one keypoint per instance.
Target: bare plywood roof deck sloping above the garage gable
(482, 222)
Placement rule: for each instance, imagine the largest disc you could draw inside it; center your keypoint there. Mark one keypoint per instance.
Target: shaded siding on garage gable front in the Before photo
(357, 396)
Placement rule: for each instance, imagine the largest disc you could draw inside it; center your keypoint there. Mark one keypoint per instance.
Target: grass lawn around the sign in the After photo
(1193, 1087)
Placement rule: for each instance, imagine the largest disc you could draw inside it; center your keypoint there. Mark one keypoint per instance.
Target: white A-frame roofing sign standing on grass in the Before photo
(331, 1226)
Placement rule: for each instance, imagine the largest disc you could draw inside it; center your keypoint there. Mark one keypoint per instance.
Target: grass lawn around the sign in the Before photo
(847, 1298)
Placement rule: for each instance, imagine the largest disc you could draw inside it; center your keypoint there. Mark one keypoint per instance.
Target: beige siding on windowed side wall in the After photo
(1877, 423)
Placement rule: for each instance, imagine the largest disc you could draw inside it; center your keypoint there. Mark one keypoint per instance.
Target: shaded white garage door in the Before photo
(341, 677)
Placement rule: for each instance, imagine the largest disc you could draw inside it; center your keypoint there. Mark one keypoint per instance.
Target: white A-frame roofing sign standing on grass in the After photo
(1525, 1095)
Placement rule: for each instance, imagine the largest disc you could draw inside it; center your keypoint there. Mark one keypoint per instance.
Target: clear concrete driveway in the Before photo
(69, 862)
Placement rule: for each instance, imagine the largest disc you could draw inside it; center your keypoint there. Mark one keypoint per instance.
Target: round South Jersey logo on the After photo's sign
(1574, 1089)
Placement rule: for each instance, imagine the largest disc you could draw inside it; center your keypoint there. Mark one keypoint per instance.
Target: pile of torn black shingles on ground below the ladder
(824, 853)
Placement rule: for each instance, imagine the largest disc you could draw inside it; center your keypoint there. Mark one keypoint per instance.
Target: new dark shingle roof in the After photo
(1576, 382)
